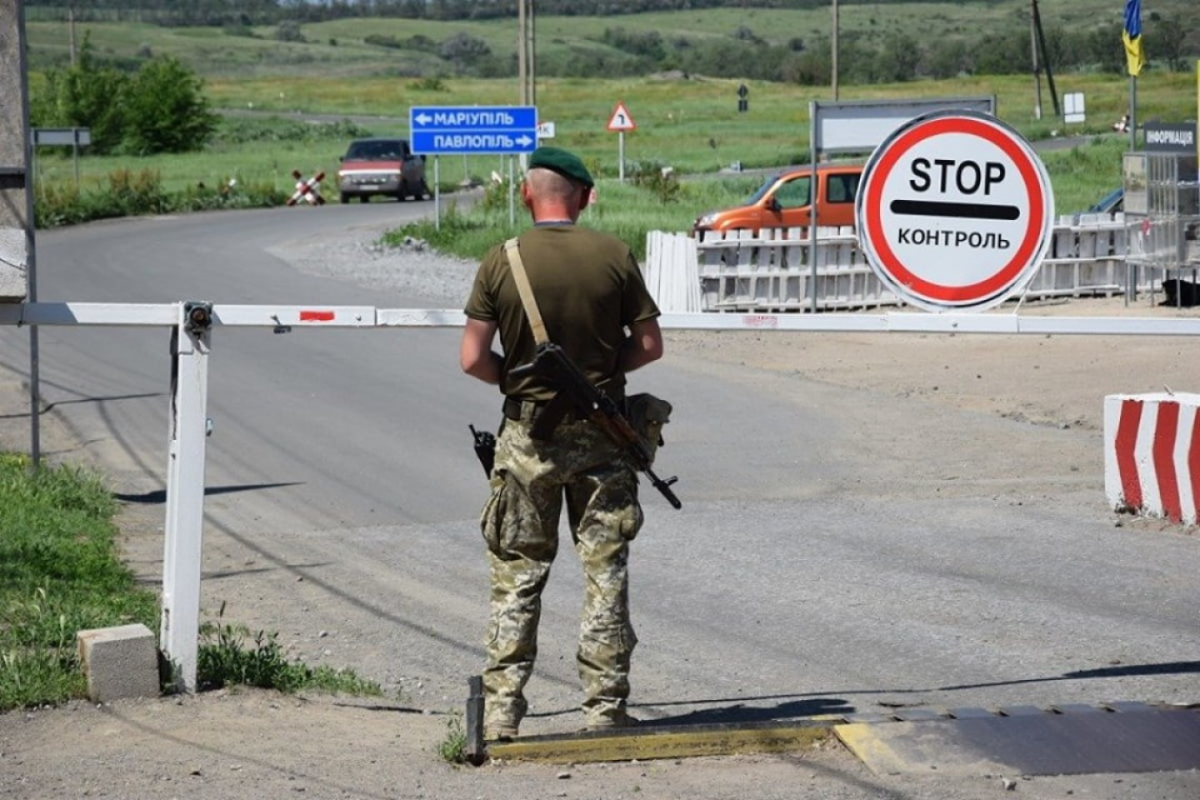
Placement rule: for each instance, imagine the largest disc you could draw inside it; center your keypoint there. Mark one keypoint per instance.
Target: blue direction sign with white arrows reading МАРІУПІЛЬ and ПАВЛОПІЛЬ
(473, 130)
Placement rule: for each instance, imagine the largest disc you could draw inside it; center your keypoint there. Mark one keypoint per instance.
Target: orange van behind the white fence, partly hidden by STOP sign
(784, 201)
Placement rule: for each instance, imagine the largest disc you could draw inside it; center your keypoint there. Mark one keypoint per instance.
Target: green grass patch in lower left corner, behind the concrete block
(59, 574)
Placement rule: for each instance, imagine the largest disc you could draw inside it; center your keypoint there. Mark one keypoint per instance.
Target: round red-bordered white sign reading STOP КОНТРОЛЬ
(956, 212)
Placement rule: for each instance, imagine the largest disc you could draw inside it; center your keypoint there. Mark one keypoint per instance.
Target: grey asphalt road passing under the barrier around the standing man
(807, 573)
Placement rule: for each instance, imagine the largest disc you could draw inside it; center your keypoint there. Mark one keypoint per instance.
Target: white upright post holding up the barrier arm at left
(185, 492)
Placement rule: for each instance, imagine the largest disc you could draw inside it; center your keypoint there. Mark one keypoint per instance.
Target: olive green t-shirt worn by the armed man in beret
(589, 290)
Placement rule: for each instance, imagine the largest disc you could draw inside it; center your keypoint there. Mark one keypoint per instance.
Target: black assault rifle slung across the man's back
(577, 392)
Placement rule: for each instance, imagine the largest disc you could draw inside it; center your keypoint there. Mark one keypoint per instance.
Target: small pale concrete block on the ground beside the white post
(119, 663)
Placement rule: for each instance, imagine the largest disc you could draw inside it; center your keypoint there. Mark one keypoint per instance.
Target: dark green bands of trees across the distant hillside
(865, 57)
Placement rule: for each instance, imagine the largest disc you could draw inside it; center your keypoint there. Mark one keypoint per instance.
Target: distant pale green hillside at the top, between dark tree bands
(341, 49)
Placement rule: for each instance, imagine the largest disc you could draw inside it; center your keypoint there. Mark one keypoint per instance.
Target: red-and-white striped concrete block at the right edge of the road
(1153, 455)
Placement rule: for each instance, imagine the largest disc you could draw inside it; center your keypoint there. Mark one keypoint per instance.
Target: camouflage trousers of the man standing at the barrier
(520, 524)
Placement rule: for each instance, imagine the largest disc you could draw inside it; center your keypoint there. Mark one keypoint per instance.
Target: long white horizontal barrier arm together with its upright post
(191, 326)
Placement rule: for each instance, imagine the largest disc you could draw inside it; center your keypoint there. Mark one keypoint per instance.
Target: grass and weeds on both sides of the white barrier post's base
(61, 574)
